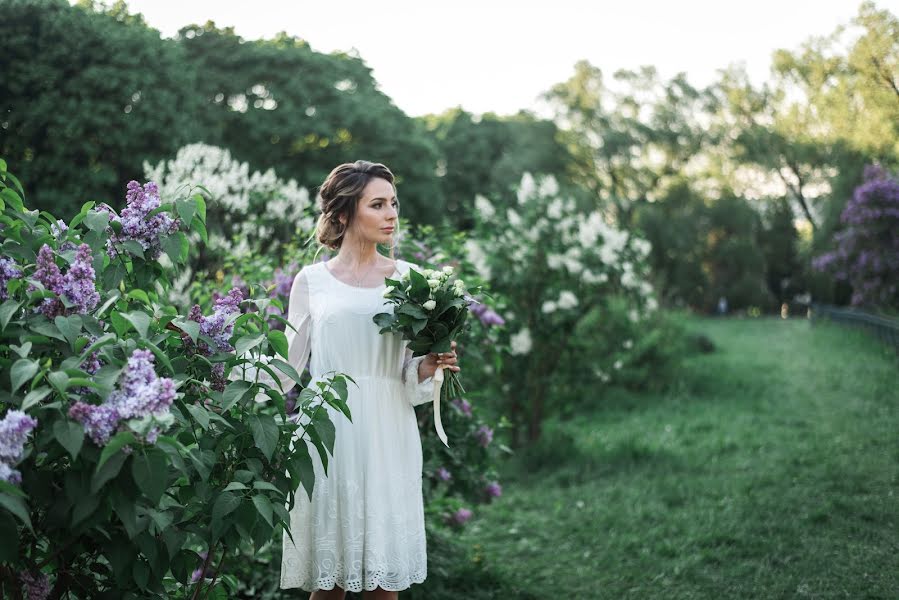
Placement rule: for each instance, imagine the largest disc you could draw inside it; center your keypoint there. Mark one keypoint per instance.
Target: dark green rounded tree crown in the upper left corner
(85, 96)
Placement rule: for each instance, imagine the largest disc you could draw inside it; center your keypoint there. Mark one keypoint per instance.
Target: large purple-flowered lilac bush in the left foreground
(181, 471)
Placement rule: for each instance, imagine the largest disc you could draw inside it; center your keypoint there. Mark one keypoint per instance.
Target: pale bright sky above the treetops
(499, 56)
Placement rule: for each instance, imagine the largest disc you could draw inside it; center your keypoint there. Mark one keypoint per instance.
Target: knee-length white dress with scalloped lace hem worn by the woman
(364, 527)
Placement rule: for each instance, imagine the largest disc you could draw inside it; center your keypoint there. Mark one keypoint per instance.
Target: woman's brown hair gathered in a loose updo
(338, 196)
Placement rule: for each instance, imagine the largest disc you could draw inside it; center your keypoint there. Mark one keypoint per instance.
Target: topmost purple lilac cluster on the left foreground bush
(136, 225)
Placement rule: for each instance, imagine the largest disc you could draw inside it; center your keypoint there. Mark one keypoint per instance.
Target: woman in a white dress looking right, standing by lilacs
(364, 527)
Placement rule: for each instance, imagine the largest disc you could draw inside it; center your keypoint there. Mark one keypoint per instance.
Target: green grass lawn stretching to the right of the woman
(771, 471)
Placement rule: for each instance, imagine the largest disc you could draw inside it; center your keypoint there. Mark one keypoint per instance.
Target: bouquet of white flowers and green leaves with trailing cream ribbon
(430, 311)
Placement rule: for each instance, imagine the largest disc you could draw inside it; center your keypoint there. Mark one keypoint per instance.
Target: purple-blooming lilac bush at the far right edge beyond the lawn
(866, 252)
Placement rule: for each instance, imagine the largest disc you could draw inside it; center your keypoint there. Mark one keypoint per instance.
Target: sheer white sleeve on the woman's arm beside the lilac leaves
(298, 342)
